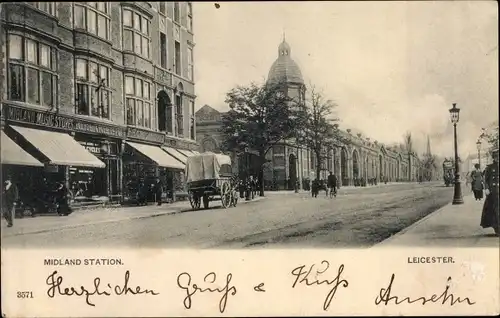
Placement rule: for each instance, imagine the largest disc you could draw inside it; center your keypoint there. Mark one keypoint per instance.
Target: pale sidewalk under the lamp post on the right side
(450, 226)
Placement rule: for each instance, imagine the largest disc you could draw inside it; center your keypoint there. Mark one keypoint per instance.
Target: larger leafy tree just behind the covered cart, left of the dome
(260, 116)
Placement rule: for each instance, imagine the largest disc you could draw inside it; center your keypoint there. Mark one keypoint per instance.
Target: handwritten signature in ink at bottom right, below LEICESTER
(385, 297)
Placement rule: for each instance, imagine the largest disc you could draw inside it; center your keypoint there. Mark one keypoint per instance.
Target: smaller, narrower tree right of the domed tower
(317, 130)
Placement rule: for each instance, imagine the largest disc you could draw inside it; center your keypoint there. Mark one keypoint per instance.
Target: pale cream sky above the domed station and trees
(391, 67)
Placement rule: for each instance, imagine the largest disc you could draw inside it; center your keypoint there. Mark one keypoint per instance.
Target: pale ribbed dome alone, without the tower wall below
(284, 68)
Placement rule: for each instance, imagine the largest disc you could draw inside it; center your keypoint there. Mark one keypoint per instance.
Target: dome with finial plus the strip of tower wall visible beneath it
(285, 70)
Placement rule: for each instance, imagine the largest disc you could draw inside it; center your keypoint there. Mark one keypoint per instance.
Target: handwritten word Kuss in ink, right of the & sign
(309, 278)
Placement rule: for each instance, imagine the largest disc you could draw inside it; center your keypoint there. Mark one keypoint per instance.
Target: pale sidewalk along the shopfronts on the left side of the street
(40, 224)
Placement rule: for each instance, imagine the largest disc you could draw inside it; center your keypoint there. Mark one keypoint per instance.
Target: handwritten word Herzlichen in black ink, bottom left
(54, 281)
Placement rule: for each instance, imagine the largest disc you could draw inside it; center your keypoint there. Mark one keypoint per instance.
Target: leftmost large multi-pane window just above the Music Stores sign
(32, 71)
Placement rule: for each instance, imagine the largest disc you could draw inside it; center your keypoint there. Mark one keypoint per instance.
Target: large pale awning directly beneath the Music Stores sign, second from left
(59, 148)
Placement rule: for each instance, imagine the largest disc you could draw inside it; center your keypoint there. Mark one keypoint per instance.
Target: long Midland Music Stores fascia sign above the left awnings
(52, 120)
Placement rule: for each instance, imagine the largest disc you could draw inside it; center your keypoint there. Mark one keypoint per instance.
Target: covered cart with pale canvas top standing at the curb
(209, 177)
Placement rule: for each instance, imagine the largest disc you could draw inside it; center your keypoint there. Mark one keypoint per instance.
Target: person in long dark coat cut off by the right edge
(490, 216)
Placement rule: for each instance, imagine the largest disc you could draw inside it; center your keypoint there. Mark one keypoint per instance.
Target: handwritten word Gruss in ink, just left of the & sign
(184, 282)
